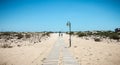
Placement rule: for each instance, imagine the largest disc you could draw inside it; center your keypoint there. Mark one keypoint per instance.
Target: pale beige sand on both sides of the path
(86, 52)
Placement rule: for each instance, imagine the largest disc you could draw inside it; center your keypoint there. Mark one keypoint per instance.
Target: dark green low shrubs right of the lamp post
(98, 35)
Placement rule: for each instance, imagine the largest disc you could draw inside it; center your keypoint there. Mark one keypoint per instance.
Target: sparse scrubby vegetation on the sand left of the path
(6, 38)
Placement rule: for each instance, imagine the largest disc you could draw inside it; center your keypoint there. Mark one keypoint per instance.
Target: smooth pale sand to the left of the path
(27, 55)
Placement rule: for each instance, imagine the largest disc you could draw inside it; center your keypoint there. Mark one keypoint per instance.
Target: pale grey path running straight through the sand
(60, 55)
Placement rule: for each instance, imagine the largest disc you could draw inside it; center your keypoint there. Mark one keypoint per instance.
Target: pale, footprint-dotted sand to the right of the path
(89, 52)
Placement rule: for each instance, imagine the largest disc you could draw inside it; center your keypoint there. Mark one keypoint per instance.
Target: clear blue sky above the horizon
(52, 15)
